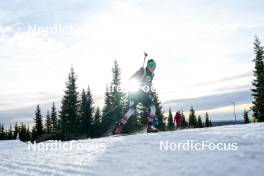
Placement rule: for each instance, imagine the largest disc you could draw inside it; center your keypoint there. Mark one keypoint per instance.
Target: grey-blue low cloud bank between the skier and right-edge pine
(219, 107)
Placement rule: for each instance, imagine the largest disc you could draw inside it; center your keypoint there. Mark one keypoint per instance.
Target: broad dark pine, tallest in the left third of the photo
(69, 114)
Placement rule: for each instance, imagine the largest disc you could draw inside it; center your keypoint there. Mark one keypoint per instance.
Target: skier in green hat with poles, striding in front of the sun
(141, 94)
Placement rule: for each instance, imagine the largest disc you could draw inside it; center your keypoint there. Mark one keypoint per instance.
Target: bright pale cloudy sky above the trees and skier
(203, 50)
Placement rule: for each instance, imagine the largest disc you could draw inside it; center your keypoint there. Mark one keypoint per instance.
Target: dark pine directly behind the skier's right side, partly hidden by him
(159, 113)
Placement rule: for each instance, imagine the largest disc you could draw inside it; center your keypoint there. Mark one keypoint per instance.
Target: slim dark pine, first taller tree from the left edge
(38, 124)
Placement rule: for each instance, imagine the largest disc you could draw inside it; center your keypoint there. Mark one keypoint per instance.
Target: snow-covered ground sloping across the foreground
(141, 155)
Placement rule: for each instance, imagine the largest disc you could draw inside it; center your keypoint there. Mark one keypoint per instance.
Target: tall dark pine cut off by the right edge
(258, 82)
